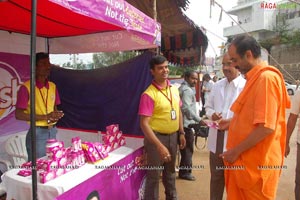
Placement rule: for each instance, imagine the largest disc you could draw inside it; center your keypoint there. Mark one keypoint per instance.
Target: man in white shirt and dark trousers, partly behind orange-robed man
(217, 106)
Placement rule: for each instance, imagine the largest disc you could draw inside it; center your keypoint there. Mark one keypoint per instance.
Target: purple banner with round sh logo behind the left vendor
(14, 69)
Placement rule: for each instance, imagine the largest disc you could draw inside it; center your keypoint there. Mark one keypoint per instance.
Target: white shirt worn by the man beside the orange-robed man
(220, 99)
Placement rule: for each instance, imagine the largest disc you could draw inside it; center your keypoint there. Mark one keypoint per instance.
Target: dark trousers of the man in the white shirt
(217, 180)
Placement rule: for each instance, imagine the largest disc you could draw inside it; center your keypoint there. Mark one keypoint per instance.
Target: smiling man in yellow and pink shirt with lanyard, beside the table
(160, 121)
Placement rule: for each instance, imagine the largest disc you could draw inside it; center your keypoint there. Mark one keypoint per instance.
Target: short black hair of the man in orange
(244, 43)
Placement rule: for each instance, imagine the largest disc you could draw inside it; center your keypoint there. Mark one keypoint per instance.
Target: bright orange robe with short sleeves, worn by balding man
(263, 101)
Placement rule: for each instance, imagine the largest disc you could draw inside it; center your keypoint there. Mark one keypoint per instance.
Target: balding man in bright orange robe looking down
(257, 131)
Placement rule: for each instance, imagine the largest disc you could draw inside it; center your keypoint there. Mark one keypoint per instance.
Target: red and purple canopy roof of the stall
(81, 26)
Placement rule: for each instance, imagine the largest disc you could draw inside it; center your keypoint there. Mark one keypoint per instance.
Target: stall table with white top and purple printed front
(123, 181)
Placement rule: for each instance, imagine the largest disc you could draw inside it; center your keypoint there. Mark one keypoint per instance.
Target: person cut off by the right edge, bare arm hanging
(294, 113)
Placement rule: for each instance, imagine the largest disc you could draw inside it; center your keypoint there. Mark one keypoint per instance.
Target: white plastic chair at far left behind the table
(15, 147)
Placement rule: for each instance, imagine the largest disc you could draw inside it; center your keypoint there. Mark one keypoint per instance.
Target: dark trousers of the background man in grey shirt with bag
(185, 166)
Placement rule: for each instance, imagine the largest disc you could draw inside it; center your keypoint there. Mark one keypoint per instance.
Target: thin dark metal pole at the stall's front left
(32, 97)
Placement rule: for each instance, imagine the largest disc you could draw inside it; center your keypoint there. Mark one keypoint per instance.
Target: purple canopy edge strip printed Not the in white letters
(117, 12)
